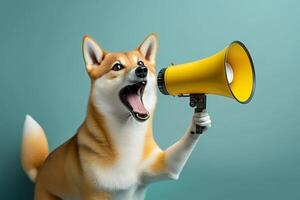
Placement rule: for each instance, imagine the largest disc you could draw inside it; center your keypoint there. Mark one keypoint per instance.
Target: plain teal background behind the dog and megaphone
(251, 152)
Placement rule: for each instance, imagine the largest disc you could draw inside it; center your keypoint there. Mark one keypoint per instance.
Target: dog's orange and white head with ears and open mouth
(123, 84)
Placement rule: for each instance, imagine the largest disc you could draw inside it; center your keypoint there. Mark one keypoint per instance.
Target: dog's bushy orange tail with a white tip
(34, 149)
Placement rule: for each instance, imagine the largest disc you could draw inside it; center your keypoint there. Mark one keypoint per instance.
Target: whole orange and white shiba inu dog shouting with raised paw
(113, 155)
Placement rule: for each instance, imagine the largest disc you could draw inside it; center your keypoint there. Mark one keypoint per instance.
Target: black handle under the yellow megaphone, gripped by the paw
(198, 100)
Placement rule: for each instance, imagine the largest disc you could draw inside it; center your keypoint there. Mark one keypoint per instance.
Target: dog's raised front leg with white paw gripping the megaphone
(169, 163)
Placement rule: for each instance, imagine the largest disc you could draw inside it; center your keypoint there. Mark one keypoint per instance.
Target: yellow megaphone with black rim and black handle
(229, 73)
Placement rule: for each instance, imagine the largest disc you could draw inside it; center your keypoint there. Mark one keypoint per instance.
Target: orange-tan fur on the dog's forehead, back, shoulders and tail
(63, 172)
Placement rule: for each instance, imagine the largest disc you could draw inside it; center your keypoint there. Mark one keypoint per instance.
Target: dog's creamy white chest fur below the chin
(124, 174)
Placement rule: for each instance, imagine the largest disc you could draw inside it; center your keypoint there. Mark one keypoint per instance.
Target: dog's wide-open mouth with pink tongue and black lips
(131, 97)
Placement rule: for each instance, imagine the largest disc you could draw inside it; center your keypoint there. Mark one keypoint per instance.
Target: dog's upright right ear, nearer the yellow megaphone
(149, 48)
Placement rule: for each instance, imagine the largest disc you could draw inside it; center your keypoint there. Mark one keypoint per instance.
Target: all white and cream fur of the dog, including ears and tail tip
(128, 177)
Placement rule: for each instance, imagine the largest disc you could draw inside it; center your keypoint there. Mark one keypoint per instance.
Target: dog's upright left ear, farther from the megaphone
(92, 53)
